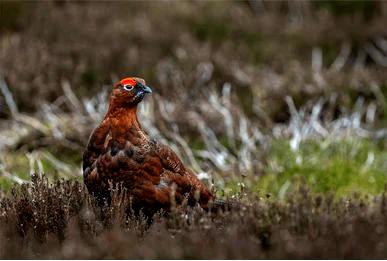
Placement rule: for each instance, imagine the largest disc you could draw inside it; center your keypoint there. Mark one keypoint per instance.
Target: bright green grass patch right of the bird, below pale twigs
(341, 167)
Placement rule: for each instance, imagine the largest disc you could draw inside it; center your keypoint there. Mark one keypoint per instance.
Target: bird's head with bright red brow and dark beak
(130, 91)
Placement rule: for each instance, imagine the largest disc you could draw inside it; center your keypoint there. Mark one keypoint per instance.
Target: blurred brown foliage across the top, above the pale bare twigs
(186, 47)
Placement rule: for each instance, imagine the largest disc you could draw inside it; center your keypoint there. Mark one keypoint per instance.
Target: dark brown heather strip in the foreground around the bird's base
(303, 226)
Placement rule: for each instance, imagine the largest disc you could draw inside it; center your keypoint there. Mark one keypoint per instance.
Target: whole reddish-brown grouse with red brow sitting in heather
(120, 152)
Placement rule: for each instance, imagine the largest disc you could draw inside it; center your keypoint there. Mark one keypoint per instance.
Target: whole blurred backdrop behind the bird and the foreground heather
(254, 96)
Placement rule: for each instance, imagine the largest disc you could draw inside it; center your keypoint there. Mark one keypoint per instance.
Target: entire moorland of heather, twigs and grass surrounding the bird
(278, 105)
